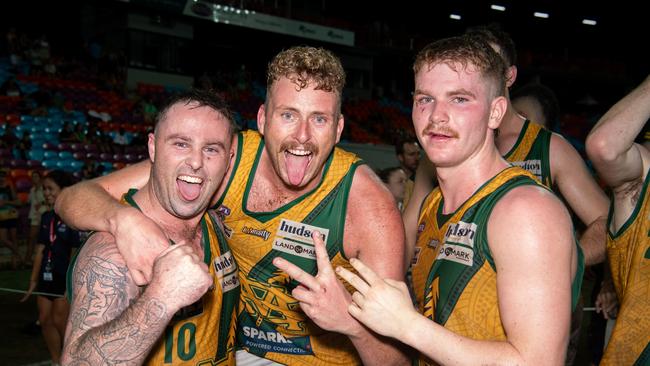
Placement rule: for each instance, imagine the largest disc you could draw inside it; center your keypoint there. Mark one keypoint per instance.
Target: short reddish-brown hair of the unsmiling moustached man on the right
(467, 52)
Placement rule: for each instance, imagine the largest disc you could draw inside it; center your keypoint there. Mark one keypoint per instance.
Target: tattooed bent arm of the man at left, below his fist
(113, 322)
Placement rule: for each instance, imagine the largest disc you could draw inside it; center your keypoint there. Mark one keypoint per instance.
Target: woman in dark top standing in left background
(56, 245)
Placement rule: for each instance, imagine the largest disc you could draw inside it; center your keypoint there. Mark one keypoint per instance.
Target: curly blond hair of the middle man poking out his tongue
(304, 65)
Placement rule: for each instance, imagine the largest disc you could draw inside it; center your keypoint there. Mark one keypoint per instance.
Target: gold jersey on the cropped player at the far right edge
(628, 251)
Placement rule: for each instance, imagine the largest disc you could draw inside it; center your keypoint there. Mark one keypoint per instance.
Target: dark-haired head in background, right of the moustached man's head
(537, 103)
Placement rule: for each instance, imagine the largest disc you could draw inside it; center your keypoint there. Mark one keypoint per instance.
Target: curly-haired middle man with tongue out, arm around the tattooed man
(287, 183)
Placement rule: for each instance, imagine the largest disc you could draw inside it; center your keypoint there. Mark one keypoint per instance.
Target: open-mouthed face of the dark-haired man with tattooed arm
(190, 152)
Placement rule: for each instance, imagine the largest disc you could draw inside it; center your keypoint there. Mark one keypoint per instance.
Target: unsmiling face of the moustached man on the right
(453, 112)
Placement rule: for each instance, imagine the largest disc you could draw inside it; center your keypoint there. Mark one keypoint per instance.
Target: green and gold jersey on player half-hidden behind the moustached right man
(532, 152)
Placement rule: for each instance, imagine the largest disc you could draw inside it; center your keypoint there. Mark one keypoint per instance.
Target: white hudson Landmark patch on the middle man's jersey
(295, 238)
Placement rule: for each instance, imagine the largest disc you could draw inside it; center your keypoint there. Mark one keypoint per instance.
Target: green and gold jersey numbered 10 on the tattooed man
(202, 333)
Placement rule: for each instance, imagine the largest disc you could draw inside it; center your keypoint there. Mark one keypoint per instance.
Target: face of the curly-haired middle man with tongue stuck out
(300, 128)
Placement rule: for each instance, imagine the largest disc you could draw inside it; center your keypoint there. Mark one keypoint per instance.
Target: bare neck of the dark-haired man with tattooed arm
(176, 229)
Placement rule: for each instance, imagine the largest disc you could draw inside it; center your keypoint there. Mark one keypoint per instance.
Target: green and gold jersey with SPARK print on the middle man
(271, 323)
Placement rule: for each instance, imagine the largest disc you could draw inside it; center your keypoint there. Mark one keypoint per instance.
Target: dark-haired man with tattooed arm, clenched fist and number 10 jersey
(194, 288)
